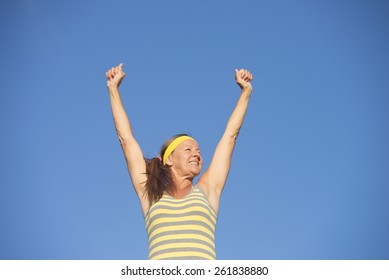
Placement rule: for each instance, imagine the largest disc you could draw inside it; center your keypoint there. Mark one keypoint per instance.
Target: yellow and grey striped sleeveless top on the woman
(182, 228)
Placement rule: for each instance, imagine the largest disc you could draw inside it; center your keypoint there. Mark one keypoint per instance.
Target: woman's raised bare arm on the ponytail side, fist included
(136, 163)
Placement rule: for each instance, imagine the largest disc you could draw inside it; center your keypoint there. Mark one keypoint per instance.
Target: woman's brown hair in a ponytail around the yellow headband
(159, 177)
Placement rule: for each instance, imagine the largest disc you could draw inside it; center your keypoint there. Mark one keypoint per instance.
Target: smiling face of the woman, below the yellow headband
(186, 159)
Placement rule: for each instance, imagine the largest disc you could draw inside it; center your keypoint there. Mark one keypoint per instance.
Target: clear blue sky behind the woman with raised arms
(309, 178)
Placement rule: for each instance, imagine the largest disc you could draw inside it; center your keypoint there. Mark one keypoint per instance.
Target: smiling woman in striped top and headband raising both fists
(180, 216)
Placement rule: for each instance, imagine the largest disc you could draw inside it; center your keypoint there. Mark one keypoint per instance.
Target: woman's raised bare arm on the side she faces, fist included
(214, 178)
